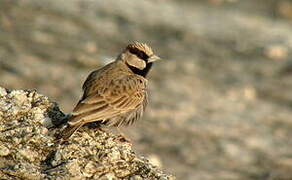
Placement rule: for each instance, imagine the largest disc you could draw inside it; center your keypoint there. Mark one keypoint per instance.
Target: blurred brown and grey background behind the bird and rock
(221, 100)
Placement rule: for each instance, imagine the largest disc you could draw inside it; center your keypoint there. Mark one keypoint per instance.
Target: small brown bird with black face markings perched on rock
(115, 94)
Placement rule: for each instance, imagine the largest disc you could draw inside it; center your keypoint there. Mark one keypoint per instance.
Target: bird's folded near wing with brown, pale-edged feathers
(119, 96)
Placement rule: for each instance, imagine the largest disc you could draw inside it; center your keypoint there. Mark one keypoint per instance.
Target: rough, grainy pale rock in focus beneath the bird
(28, 149)
